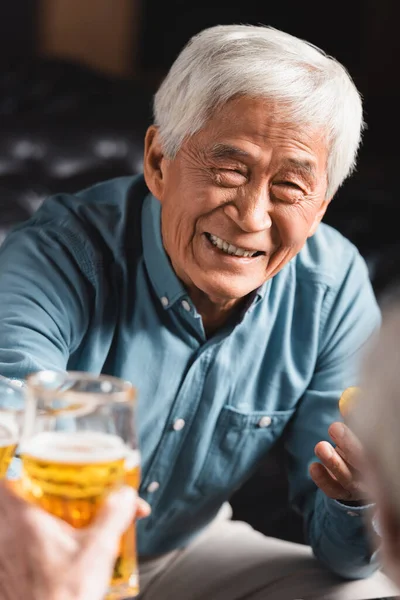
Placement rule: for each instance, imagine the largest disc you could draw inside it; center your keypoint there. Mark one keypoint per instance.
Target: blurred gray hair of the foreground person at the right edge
(375, 418)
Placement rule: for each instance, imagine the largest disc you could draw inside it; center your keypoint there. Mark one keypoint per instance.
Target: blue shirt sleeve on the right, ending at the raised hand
(337, 534)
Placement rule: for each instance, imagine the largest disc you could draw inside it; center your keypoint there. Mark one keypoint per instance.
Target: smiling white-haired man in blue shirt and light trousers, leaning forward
(210, 282)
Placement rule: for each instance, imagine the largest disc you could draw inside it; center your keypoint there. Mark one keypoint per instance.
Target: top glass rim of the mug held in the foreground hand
(35, 382)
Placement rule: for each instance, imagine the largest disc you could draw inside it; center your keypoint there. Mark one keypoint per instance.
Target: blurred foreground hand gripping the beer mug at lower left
(44, 558)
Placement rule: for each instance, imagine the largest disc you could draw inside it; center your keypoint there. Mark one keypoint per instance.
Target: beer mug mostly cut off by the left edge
(12, 405)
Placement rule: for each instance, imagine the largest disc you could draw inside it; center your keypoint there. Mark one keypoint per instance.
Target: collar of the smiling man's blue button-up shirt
(165, 282)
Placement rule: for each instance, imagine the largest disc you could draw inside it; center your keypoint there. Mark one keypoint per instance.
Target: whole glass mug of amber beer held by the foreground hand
(79, 444)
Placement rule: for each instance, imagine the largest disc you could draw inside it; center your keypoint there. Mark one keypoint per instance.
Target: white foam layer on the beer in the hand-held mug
(78, 447)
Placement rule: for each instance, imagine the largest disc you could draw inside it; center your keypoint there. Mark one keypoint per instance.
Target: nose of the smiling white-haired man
(251, 212)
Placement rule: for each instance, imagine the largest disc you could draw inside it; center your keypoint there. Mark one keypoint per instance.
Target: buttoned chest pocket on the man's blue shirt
(240, 441)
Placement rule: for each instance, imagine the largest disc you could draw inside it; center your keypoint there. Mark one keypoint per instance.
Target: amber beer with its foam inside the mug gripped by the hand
(69, 474)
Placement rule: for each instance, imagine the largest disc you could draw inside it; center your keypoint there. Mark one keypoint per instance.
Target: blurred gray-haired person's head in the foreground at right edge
(375, 418)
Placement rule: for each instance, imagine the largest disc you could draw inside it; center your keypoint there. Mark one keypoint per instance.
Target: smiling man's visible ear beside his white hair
(154, 162)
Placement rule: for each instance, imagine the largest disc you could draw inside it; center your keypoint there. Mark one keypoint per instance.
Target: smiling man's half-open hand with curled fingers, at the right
(339, 474)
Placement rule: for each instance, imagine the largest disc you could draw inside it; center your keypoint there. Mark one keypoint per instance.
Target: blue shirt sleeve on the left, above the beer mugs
(45, 298)
